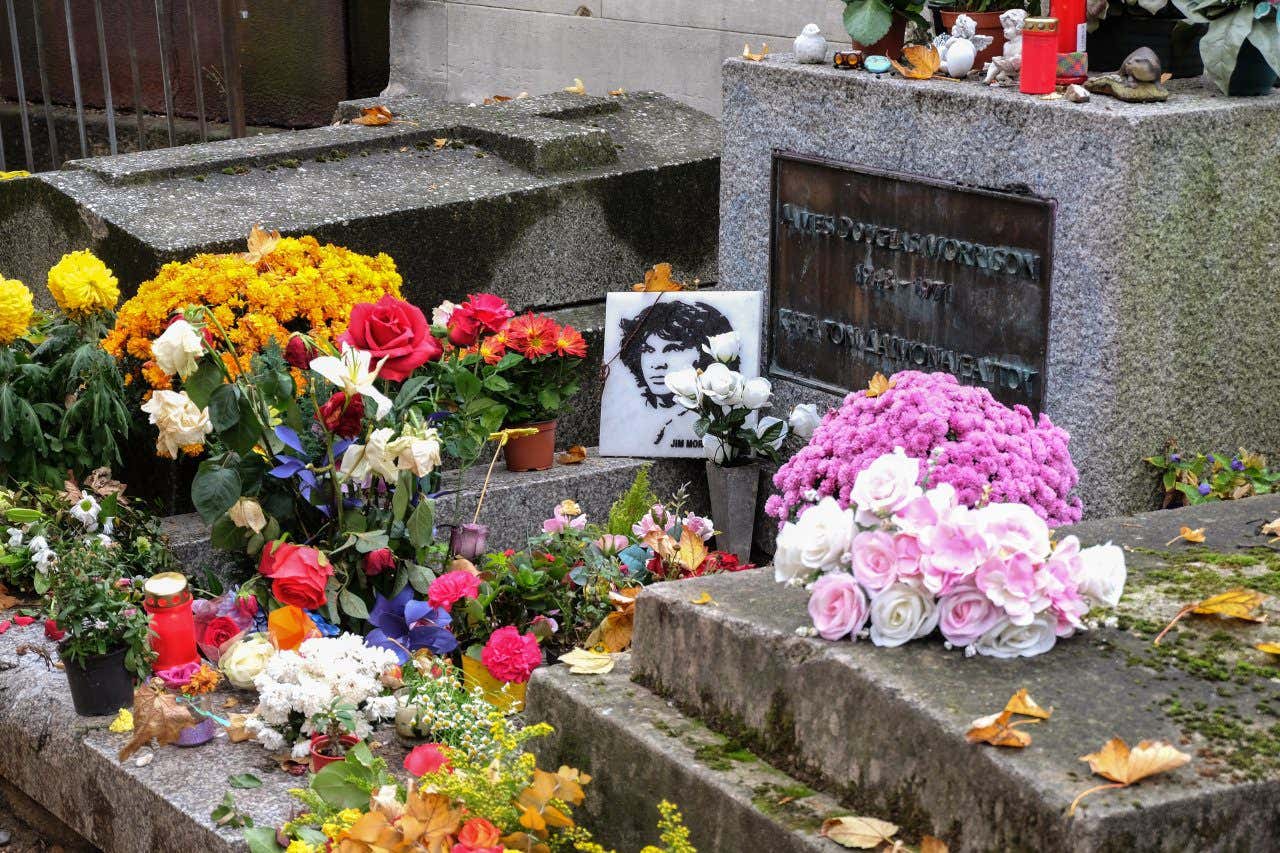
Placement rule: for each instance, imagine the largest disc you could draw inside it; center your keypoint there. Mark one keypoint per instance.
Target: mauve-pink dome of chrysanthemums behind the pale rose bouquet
(981, 445)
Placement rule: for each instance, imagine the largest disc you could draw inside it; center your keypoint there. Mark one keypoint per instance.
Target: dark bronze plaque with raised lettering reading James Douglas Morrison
(877, 273)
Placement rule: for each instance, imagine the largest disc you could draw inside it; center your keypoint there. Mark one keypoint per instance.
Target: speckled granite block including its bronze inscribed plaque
(1103, 263)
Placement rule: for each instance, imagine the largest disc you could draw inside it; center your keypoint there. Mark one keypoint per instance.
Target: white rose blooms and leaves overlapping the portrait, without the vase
(730, 408)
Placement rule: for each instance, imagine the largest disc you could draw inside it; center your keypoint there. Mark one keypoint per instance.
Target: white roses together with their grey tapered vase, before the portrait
(734, 437)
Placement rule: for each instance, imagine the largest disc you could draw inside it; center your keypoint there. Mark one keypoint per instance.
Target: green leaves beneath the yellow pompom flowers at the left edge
(63, 404)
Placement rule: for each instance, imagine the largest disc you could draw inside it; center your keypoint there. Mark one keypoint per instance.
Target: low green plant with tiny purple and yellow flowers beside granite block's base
(1204, 478)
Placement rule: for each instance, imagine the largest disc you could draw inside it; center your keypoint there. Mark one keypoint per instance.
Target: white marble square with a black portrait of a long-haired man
(651, 335)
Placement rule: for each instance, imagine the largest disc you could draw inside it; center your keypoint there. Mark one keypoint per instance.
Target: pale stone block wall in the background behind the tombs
(465, 51)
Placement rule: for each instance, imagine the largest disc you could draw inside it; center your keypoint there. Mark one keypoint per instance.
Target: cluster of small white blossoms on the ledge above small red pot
(308, 681)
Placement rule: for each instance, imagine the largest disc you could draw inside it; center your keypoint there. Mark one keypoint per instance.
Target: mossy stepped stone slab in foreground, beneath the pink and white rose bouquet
(762, 735)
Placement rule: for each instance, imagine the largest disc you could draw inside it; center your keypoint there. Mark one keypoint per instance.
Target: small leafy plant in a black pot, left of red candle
(104, 632)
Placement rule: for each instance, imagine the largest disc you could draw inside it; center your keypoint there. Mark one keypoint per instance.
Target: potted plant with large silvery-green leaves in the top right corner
(1241, 49)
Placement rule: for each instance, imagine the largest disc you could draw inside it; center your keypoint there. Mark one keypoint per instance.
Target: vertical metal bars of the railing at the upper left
(157, 28)
